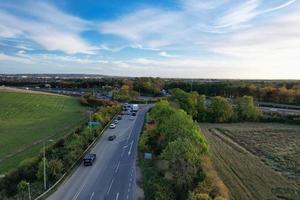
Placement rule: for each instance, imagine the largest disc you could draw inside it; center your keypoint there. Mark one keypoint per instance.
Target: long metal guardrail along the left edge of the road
(69, 171)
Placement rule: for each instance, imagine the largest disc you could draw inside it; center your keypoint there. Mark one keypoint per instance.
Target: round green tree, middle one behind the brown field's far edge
(220, 110)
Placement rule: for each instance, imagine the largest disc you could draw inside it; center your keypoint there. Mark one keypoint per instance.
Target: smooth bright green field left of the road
(26, 119)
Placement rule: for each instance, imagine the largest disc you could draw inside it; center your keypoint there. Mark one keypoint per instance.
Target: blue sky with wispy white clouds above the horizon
(239, 39)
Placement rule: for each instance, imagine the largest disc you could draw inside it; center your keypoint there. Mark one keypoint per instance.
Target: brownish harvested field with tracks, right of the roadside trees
(256, 160)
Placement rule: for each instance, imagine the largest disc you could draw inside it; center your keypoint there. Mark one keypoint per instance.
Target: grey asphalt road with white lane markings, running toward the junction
(112, 176)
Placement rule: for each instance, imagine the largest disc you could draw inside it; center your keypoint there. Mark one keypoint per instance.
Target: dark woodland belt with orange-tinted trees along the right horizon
(278, 92)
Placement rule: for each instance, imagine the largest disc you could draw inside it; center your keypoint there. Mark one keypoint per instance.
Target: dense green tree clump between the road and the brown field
(180, 168)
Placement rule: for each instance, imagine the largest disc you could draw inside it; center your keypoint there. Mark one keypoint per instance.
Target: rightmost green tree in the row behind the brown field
(247, 109)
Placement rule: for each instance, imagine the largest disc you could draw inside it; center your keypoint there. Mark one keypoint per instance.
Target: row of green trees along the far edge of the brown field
(215, 109)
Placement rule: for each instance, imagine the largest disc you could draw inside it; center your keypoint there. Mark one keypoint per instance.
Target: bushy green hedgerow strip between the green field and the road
(61, 156)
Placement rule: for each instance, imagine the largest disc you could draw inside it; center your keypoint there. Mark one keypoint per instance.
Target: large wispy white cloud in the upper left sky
(46, 26)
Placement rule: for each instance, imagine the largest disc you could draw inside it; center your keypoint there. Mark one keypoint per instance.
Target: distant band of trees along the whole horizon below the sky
(285, 92)
